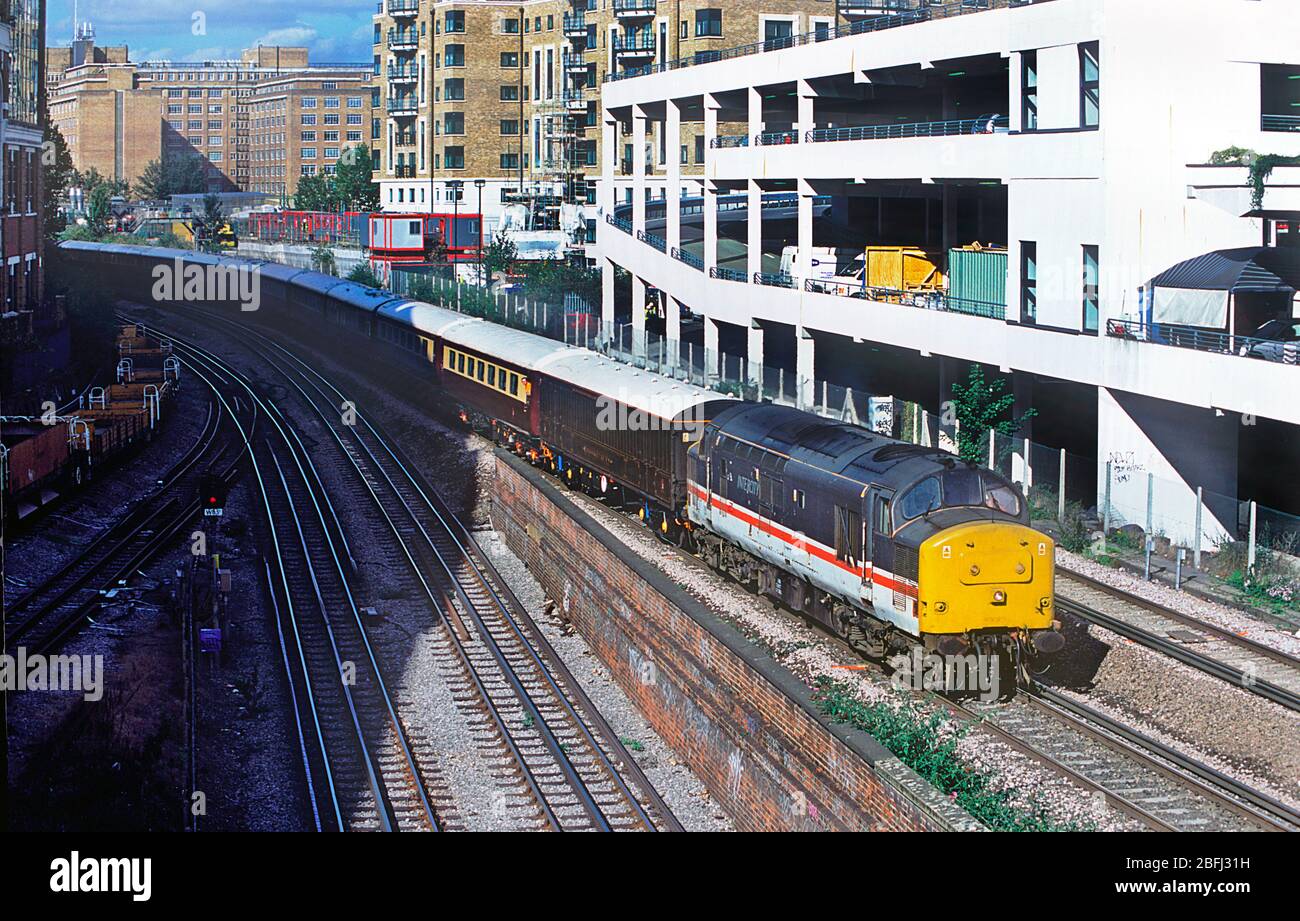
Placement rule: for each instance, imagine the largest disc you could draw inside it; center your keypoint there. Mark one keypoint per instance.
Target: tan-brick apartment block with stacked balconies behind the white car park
(506, 96)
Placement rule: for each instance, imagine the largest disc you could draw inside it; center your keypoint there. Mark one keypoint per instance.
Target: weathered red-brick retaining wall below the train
(747, 727)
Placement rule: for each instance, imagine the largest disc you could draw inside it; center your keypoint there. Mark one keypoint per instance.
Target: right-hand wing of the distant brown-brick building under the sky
(302, 126)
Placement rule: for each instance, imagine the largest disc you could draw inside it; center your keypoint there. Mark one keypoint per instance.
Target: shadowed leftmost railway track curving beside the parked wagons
(42, 620)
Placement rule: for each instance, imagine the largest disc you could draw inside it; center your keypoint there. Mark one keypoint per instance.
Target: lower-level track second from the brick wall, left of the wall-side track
(362, 768)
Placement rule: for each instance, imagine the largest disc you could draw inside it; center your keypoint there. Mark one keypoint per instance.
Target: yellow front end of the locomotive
(989, 578)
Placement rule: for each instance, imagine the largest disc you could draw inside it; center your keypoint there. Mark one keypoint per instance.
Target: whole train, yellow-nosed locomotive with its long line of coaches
(891, 546)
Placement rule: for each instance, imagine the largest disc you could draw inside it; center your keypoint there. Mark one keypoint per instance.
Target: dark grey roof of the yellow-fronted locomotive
(834, 447)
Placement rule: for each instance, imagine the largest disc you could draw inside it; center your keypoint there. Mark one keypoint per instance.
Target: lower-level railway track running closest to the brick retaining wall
(569, 768)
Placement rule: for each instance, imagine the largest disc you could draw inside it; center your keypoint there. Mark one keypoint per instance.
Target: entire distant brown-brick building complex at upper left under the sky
(118, 116)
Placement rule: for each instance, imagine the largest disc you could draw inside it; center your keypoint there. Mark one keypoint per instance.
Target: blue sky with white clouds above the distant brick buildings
(335, 31)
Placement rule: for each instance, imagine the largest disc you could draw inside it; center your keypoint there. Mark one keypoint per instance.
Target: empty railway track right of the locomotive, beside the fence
(1241, 661)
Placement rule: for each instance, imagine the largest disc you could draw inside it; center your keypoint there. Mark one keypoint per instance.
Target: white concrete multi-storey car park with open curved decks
(1026, 185)
